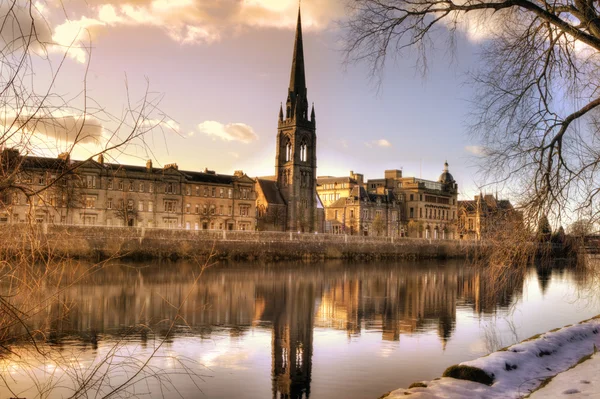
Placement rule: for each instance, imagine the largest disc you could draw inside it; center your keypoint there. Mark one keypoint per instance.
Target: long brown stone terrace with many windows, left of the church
(98, 193)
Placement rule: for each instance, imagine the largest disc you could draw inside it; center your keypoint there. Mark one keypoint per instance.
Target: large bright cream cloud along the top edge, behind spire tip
(189, 22)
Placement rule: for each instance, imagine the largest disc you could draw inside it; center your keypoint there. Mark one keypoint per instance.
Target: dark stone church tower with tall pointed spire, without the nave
(296, 160)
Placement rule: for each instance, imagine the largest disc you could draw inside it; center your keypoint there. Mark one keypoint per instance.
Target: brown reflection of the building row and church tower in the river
(290, 300)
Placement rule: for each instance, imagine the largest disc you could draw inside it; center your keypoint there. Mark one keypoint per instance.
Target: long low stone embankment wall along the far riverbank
(105, 242)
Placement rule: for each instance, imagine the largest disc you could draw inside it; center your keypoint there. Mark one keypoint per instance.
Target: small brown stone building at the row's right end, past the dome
(485, 216)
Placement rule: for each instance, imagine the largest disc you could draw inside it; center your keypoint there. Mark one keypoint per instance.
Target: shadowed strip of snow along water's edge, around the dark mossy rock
(520, 368)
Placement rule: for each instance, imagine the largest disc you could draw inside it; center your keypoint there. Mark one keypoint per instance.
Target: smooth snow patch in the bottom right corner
(579, 382)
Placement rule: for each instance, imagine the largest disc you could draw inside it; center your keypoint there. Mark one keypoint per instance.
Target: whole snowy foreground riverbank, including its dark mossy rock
(542, 366)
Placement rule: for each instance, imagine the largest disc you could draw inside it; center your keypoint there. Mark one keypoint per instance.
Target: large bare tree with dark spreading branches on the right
(537, 108)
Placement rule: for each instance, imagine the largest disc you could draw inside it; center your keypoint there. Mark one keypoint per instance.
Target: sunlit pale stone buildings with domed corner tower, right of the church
(396, 205)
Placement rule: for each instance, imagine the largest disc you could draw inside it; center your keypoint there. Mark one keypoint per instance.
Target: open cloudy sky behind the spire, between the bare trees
(221, 68)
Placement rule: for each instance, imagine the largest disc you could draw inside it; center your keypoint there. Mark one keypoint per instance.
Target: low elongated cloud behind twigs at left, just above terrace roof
(63, 128)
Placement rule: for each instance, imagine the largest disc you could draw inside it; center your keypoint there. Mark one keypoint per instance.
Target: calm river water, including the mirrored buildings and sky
(328, 330)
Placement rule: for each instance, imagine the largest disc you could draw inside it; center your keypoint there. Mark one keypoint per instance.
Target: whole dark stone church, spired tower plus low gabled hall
(288, 201)
